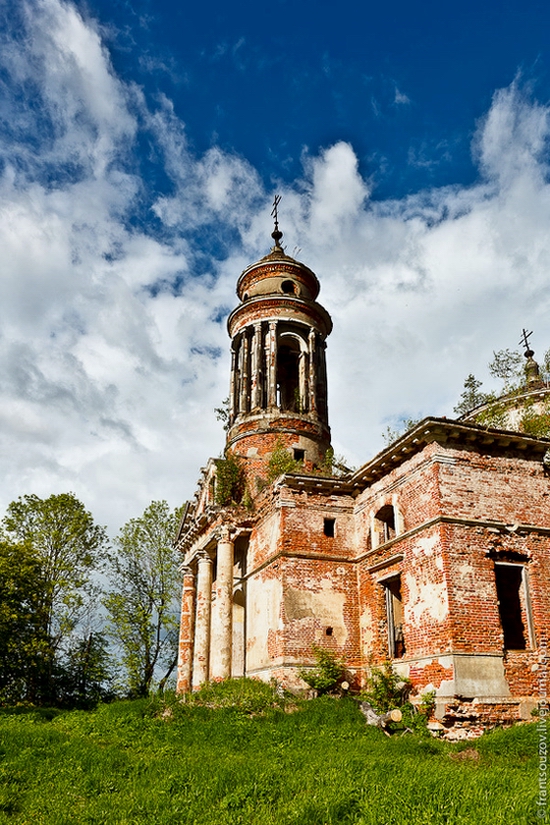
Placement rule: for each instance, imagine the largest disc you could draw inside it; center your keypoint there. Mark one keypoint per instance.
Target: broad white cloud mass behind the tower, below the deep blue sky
(113, 349)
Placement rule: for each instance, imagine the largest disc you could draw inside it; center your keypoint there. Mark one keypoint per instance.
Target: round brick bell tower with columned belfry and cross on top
(278, 391)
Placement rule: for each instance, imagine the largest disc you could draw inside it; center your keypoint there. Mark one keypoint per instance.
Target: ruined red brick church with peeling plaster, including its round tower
(435, 554)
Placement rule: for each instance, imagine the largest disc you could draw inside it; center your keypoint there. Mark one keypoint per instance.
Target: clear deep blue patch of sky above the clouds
(404, 83)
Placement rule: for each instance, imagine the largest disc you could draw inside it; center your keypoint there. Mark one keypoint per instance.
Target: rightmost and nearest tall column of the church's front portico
(222, 627)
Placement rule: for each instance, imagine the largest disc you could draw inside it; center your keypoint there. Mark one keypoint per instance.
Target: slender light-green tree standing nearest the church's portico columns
(143, 602)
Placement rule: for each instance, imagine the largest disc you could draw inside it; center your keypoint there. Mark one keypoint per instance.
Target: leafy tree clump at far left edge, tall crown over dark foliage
(48, 551)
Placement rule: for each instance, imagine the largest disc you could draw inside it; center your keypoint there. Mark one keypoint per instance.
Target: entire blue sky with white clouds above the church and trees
(142, 144)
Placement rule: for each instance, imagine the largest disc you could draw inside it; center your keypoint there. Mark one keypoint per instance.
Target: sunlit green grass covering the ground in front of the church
(251, 762)
